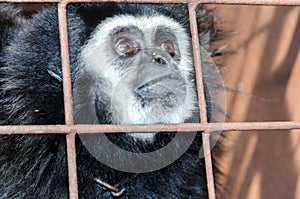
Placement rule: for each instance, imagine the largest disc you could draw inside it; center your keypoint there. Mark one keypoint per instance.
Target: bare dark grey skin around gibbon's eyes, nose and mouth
(155, 59)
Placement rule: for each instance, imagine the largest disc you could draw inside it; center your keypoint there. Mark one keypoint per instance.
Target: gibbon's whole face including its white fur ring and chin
(137, 70)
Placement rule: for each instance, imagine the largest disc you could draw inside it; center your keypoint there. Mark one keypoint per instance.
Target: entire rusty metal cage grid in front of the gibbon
(70, 129)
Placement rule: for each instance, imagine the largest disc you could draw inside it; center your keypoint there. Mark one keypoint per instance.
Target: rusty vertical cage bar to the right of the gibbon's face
(201, 99)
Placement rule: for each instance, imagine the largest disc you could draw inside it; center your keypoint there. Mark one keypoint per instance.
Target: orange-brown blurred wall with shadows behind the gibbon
(262, 165)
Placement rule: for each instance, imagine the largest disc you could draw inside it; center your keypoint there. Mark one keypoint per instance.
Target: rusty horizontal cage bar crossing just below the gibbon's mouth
(110, 128)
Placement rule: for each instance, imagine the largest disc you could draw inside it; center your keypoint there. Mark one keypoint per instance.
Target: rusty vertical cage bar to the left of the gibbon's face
(68, 104)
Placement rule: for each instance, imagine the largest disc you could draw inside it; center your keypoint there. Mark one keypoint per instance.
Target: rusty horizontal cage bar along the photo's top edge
(237, 2)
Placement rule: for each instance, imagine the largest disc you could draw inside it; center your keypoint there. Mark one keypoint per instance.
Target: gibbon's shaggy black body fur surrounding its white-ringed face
(35, 166)
